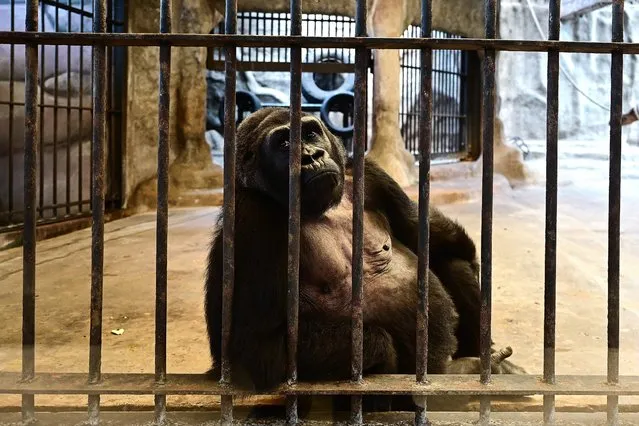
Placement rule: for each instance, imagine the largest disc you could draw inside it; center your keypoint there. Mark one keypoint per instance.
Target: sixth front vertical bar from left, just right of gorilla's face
(359, 147)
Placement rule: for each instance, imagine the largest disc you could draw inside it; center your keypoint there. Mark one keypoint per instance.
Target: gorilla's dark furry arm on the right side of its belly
(452, 252)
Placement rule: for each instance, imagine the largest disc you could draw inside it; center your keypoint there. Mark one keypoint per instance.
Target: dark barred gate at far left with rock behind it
(65, 110)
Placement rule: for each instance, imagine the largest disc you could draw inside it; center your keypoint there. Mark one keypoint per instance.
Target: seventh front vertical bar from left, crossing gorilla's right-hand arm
(425, 141)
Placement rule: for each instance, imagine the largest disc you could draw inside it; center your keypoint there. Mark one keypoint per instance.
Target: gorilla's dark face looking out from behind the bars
(322, 166)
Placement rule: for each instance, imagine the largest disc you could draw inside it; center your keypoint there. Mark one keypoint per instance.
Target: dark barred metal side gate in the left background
(70, 207)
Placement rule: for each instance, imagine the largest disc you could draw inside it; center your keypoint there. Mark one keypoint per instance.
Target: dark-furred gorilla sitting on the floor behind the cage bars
(257, 349)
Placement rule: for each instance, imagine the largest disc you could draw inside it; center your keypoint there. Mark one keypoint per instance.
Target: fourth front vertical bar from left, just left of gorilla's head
(228, 232)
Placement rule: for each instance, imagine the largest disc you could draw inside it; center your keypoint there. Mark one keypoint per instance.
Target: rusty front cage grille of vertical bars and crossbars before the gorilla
(161, 384)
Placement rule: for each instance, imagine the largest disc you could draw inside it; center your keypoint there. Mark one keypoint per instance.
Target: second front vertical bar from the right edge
(550, 279)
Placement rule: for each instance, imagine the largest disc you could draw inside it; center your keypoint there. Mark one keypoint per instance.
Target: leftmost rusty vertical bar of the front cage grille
(31, 137)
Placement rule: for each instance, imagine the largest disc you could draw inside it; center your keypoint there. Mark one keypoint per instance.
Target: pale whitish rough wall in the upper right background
(522, 76)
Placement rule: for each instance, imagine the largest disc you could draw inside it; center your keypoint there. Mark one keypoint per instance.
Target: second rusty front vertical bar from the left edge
(97, 205)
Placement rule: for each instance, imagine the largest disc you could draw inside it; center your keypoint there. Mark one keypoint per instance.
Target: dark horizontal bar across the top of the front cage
(224, 40)
